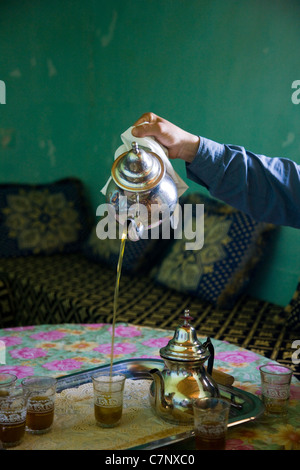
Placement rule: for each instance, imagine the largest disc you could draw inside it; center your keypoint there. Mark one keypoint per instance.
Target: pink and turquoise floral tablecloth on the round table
(59, 350)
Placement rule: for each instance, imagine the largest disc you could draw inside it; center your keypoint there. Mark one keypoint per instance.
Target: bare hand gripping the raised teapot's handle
(180, 144)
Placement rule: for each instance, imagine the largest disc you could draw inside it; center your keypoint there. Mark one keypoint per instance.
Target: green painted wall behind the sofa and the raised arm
(77, 74)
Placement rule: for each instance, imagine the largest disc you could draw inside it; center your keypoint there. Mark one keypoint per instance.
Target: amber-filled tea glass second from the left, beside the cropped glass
(40, 392)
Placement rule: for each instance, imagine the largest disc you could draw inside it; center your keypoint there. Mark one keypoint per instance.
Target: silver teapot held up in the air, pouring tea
(141, 193)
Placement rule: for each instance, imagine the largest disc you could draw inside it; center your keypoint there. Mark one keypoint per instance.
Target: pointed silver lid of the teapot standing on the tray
(185, 345)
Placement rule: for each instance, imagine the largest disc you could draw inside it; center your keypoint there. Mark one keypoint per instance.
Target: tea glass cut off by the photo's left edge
(13, 409)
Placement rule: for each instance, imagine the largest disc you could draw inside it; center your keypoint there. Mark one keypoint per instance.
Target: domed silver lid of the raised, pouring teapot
(138, 169)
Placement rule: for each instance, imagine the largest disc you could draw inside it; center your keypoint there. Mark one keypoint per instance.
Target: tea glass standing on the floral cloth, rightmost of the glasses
(275, 388)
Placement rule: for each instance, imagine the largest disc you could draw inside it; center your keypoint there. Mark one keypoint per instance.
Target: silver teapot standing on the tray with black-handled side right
(184, 376)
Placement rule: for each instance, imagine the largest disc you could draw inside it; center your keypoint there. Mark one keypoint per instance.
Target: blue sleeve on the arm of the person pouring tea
(268, 189)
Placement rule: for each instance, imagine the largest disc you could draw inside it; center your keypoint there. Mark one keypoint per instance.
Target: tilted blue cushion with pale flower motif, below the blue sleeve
(220, 270)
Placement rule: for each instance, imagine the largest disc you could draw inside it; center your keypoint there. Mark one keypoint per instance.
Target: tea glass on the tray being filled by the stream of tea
(108, 398)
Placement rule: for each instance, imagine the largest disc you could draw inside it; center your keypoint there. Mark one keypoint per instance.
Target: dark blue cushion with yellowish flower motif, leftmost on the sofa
(43, 218)
